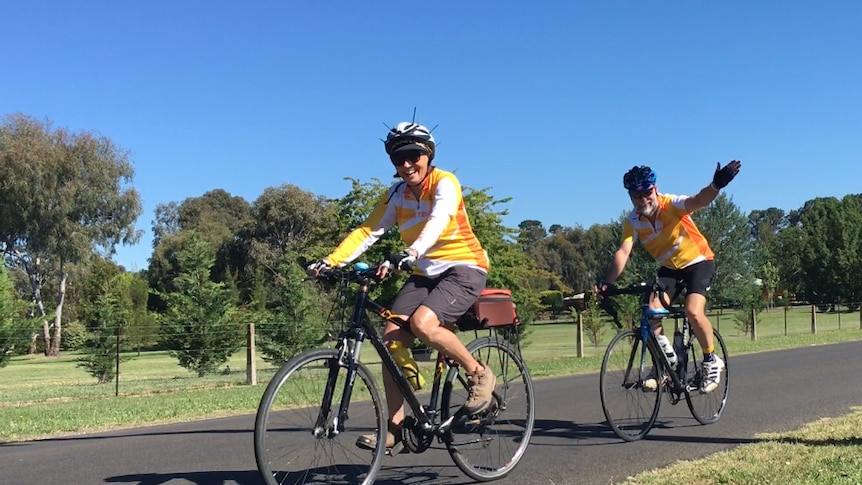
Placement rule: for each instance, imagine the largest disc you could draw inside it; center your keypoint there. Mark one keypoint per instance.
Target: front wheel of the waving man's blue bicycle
(630, 409)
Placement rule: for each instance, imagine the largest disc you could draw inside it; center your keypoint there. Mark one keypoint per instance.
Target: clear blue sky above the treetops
(548, 103)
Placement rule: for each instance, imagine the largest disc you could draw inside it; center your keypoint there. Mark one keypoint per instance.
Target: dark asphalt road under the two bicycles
(769, 392)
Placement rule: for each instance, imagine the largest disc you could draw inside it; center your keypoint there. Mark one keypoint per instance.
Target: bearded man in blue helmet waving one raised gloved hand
(663, 224)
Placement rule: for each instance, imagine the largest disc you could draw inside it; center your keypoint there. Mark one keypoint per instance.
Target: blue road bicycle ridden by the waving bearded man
(634, 355)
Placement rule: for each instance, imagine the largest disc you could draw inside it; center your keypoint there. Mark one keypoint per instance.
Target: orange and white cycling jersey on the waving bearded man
(674, 241)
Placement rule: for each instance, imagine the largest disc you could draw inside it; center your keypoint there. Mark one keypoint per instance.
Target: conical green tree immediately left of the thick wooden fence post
(198, 326)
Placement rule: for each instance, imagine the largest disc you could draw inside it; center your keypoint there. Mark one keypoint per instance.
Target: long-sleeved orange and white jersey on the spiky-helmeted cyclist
(435, 225)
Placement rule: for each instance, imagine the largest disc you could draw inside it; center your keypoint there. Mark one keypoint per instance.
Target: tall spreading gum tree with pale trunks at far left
(64, 196)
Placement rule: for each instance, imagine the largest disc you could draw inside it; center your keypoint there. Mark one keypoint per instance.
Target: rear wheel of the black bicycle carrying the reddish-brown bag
(488, 445)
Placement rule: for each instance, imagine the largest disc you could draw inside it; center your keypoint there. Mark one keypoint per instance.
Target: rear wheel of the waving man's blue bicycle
(706, 408)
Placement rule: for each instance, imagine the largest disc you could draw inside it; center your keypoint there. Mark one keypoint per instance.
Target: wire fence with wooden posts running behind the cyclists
(37, 379)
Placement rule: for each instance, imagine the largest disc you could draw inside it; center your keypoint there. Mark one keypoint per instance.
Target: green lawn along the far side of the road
(42, 397)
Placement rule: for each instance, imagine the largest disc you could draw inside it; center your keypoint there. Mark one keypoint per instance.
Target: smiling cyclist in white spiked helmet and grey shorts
(449, 264)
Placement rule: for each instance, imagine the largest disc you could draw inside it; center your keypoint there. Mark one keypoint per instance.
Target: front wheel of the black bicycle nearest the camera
(298, 440)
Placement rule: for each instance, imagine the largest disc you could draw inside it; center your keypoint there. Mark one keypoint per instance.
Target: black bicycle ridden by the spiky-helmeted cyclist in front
(320, 401)
